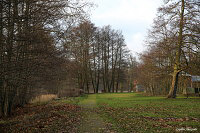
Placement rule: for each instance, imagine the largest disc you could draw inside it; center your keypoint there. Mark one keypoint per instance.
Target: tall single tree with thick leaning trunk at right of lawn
(173, 39)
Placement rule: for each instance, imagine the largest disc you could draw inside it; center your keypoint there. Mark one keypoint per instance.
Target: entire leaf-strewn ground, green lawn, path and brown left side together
(116, 113)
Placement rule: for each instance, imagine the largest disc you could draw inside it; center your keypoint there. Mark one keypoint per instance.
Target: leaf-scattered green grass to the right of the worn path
(133, 112)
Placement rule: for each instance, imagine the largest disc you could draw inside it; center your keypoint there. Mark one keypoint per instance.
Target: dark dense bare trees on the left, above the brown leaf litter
(31, 53)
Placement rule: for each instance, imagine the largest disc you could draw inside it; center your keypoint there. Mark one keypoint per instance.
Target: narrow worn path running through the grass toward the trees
(92, 122)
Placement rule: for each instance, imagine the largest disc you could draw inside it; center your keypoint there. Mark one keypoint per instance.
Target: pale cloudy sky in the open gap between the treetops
(132, 17)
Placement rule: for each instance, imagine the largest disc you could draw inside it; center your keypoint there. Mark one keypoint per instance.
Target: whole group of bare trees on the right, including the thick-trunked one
(173, 48)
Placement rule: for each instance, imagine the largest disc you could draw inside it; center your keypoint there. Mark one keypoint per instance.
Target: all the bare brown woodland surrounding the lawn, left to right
(53, 46)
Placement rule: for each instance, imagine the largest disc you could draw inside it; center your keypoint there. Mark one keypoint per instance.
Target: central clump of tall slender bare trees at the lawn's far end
(101, 57)
